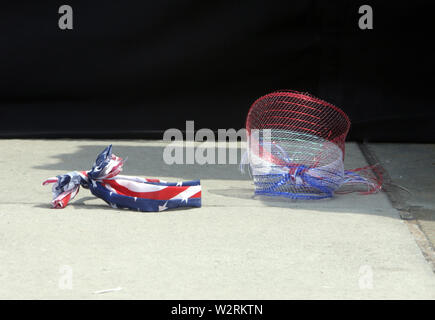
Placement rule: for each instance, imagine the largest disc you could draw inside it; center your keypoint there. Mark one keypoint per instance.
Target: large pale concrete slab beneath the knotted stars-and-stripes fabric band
(234, 247)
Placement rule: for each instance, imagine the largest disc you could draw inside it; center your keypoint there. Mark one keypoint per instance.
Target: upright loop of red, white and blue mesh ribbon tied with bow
(296, 148)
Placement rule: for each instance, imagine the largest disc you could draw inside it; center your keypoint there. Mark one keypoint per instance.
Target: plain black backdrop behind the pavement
(136, 68)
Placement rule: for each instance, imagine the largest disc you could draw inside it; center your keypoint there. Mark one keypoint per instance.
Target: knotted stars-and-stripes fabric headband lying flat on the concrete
(119, 191)
